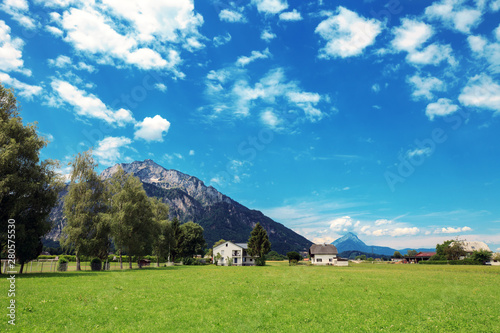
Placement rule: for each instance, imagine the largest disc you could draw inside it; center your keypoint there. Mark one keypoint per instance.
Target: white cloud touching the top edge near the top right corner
(454, 15)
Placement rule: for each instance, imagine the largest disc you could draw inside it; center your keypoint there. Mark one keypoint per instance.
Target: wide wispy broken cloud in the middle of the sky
(231, 91)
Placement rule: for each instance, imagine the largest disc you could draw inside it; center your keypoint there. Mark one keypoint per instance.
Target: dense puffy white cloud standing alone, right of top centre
(347, 34)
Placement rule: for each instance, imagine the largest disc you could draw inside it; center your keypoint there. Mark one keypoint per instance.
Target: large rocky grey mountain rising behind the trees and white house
(191, 200)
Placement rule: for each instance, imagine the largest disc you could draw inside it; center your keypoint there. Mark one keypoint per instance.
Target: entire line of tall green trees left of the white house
(99, 213)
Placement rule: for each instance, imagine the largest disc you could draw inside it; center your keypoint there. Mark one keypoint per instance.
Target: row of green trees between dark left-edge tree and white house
(119, 211)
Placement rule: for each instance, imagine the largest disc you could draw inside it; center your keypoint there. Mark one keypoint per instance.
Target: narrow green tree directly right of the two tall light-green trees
(163, 235)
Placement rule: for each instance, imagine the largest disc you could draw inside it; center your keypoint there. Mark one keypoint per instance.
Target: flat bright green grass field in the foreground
(275, 298)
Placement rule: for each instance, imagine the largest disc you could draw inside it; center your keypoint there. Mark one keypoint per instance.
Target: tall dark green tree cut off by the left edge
(28, 187)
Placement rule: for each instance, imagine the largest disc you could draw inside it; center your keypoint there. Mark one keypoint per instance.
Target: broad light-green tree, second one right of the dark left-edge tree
(131, 216)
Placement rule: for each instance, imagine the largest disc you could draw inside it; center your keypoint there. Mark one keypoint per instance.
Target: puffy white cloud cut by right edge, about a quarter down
(481, 92)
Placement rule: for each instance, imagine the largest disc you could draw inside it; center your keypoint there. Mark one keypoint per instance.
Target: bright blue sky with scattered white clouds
(377, 117)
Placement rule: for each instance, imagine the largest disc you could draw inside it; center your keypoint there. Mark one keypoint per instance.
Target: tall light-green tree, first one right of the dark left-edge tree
(87, 230)
